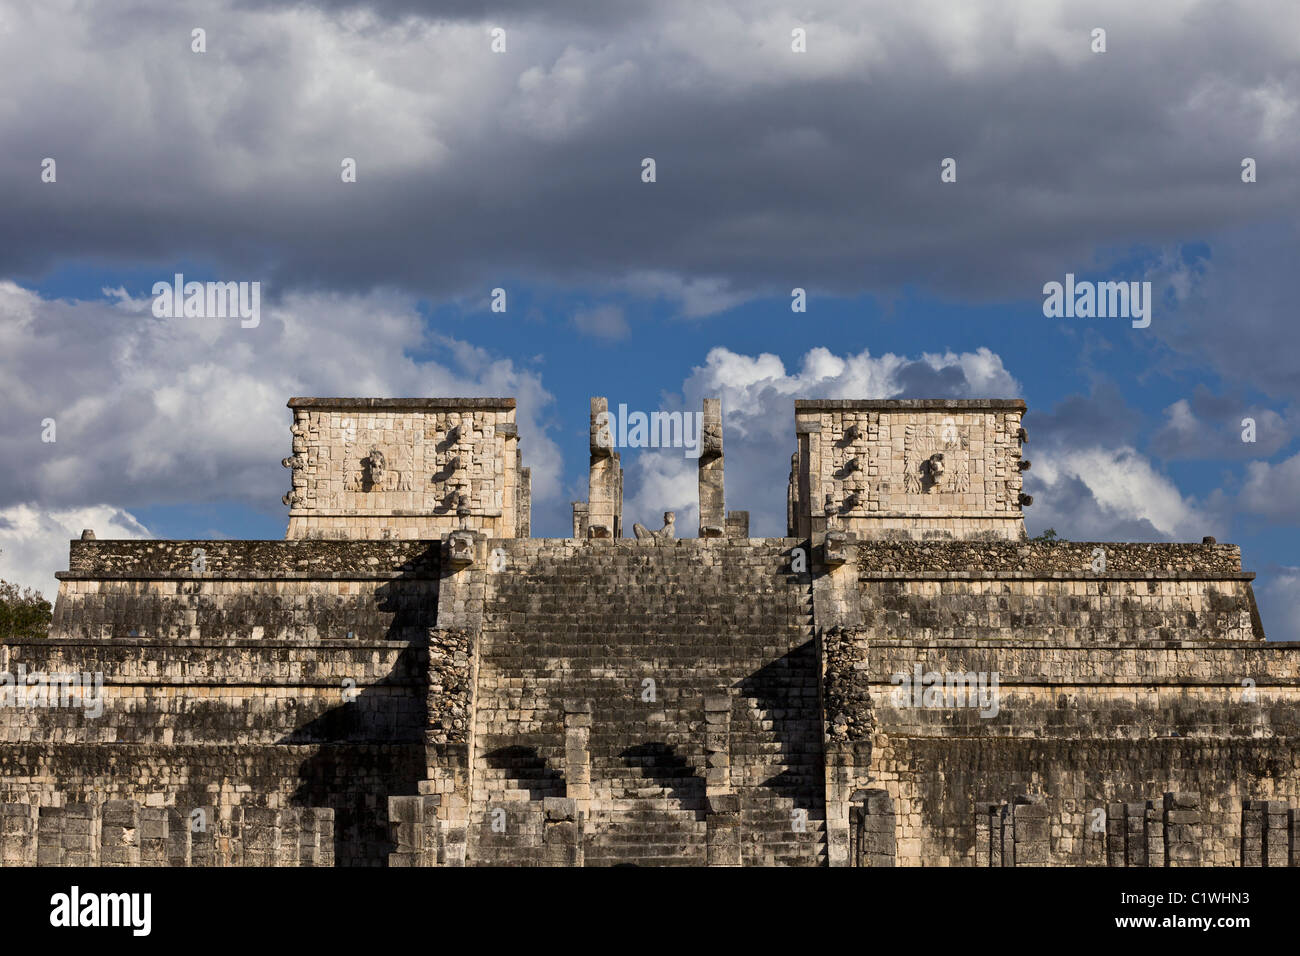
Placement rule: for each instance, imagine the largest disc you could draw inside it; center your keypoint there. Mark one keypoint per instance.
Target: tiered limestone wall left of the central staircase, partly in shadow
(284, 676)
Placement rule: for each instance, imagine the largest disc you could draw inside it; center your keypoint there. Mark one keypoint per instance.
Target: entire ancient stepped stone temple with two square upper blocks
(411, 680)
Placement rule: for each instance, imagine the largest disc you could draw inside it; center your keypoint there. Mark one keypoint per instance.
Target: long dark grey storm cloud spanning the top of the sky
(476, 170)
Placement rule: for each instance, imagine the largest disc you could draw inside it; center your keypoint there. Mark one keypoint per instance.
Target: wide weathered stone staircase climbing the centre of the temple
(644, 634)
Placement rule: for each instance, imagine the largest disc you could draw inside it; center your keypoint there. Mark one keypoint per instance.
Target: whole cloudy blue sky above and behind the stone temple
(774, 170)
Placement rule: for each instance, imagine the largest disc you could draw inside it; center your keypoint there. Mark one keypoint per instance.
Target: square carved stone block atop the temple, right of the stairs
(909, 469)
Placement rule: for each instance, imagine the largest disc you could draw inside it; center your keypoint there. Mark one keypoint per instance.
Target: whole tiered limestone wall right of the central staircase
(1110, 690)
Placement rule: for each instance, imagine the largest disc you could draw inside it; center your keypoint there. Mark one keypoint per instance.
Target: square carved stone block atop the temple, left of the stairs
(406, 469)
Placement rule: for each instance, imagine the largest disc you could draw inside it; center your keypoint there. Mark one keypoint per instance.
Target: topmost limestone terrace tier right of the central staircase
(1038, 591)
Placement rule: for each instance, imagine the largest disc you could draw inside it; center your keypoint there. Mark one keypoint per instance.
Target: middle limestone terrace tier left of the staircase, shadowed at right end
(258, 694)
